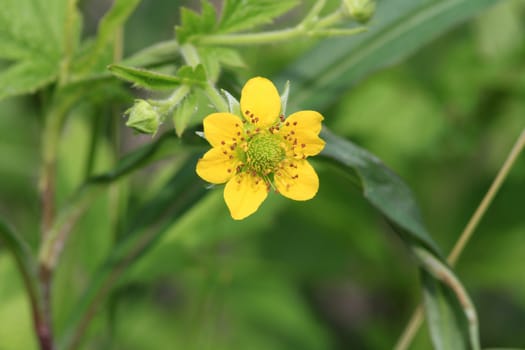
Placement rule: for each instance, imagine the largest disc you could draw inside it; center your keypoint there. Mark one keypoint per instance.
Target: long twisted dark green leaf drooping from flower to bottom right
(394, 199)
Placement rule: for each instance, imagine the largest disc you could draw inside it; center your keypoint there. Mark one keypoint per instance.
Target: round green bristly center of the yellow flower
(264, 153)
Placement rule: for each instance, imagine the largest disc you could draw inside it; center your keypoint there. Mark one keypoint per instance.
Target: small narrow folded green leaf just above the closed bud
(156, 81)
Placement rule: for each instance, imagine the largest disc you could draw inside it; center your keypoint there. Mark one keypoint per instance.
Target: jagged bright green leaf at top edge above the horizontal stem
(237, 15)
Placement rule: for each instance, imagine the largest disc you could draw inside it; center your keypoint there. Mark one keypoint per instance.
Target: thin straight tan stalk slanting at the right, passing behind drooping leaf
(416, 319)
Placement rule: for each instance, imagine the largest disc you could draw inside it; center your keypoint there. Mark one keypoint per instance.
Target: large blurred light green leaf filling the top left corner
(34, 35)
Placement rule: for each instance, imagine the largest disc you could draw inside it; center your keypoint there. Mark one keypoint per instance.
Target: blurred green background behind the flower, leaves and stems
(324, 274)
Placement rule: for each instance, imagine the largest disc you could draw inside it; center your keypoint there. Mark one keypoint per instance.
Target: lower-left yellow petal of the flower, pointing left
(216, 167)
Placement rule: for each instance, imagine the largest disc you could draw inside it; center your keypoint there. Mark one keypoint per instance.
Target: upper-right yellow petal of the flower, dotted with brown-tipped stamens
(300, 131)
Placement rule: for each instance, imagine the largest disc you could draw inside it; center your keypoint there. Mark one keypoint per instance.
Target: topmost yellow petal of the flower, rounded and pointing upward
(260, 102)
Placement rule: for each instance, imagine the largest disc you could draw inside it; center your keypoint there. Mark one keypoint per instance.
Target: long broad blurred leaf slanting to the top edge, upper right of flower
(398, 29)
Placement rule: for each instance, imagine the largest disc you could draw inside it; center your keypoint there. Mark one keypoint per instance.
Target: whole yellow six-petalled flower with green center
(262, 150)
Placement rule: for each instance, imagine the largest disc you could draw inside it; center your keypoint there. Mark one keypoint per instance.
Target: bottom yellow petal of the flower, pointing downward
(243, 195)
